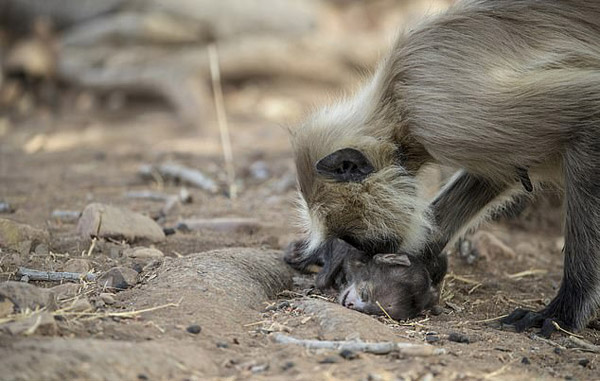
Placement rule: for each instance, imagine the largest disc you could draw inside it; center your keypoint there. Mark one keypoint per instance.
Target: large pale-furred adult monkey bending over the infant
(490, 86)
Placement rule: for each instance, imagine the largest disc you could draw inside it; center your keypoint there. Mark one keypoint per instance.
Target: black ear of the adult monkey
(347, 164)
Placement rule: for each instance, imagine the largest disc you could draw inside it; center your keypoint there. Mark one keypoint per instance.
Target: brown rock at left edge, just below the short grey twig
(24, 295)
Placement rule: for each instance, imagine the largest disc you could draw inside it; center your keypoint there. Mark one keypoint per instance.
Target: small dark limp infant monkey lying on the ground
(395, 284)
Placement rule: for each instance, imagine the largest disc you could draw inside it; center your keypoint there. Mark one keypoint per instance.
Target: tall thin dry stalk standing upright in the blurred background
(215, 74)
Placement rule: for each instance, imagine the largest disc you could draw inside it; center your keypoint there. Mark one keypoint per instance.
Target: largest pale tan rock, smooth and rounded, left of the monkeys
(105, 221)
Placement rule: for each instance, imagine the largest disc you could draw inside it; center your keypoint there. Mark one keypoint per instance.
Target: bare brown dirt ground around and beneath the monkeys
(232, 282)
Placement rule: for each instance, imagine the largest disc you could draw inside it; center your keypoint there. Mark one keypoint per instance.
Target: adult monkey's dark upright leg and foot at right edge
(579, 295)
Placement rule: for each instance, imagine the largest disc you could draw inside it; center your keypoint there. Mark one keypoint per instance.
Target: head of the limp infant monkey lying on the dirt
(390, 284)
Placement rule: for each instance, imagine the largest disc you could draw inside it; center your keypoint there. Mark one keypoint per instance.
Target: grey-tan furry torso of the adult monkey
(500, 83)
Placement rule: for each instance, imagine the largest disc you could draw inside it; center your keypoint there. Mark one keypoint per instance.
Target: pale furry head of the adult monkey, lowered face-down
(353, 186)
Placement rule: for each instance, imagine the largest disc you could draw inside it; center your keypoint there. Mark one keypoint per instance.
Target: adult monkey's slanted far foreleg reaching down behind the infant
(463, 200)
